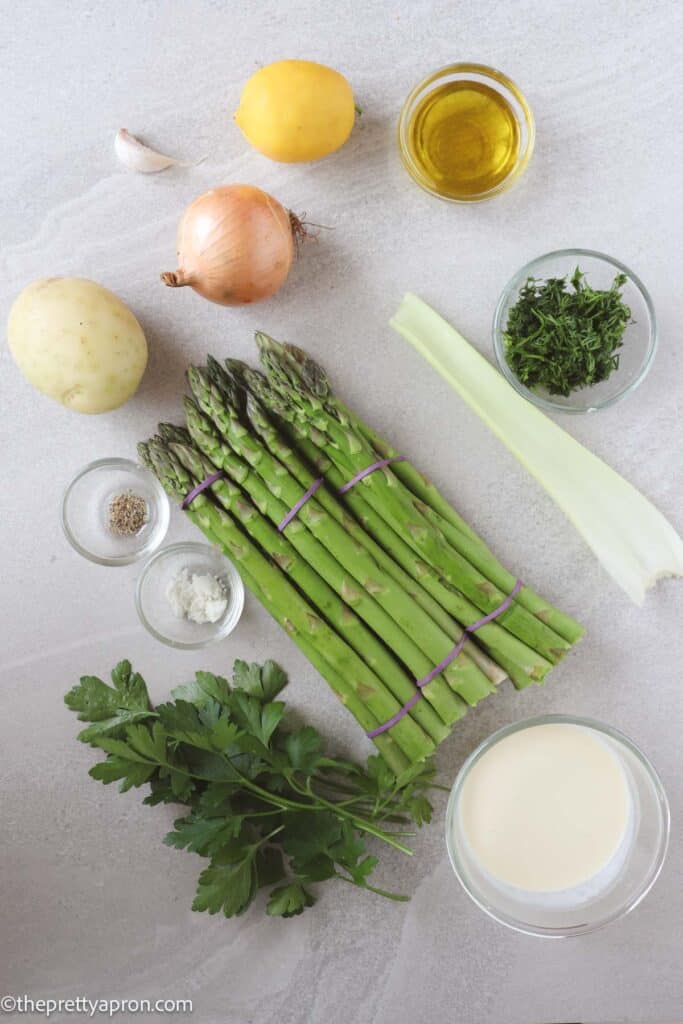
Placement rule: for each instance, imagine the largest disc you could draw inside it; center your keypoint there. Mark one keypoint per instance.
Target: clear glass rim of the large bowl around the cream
(519, 925)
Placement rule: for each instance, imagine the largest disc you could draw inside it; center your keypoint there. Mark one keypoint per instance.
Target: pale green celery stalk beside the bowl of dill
(632, 540)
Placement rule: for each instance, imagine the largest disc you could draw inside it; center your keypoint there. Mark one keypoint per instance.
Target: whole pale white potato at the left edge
(77, 343)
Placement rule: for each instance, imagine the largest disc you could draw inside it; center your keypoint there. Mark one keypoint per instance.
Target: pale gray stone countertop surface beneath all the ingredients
(93, 903)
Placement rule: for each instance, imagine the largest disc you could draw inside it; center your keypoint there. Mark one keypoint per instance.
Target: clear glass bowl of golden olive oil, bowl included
(466, 134)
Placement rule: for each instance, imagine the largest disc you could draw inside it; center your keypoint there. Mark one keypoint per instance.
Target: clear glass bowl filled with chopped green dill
(575, 331)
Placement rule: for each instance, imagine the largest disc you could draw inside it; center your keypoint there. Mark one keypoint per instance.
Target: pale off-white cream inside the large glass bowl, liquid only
(548, 809)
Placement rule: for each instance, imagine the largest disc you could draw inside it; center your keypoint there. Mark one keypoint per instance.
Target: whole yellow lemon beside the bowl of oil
(294, 111)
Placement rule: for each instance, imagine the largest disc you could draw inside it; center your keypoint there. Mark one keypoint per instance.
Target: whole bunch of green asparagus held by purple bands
(376, 585)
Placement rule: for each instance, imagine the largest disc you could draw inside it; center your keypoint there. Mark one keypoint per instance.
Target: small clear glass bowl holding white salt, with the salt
(189, 595)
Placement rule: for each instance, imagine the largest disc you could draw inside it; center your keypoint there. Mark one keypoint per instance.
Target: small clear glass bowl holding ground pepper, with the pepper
(115, 513)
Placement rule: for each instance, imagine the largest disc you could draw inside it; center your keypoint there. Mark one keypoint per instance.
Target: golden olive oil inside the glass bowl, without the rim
(465, 138)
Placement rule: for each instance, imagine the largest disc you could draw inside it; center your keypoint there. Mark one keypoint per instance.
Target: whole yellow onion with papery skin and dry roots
(236, 246)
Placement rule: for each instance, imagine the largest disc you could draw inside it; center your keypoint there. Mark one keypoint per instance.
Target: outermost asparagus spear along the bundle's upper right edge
(313, 376)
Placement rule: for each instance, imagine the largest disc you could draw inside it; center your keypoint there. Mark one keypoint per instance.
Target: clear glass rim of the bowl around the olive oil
(494, 76)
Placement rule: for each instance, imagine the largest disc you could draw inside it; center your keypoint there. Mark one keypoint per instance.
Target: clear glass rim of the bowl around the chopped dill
(548, 405)
